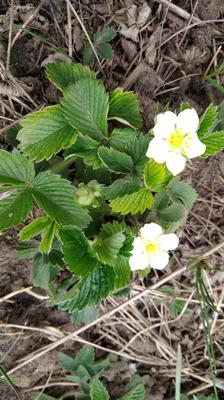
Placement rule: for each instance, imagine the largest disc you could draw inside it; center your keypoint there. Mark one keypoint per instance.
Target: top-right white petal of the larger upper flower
(187, 121)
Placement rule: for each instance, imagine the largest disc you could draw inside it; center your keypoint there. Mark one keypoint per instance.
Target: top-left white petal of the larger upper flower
(165, 124)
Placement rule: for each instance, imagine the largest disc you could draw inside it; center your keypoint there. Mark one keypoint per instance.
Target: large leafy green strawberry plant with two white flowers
(107, 196)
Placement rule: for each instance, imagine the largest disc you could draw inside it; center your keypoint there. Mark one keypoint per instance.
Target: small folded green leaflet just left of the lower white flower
(108, 248)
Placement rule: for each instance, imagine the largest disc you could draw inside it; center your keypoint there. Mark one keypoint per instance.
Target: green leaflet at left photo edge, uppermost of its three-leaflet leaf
(15, 168)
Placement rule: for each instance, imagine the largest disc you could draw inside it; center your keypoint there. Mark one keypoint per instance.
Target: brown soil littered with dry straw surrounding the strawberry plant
(163, 50)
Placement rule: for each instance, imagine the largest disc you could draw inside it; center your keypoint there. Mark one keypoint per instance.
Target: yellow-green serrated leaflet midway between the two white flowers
(133, 203)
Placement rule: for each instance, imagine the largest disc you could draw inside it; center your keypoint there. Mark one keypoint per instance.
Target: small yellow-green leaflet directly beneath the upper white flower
(156, 176)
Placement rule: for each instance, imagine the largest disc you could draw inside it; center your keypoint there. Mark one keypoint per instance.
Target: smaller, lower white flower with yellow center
(150, 249)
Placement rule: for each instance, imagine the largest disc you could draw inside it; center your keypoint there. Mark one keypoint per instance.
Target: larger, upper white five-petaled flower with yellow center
(175, 139)
